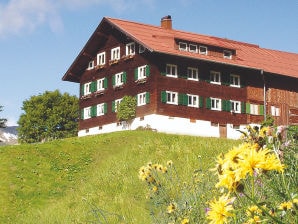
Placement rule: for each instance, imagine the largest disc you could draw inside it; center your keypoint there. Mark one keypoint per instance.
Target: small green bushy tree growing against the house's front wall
(126, 110)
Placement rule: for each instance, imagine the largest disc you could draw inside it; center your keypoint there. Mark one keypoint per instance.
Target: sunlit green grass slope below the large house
(77, 179)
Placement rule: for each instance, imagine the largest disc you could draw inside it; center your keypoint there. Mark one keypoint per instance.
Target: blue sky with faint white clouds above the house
(39, 39)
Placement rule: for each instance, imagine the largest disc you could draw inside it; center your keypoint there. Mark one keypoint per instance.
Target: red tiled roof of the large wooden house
(158, 39)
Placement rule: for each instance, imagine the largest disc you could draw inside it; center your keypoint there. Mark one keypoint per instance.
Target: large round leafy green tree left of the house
(47, 116)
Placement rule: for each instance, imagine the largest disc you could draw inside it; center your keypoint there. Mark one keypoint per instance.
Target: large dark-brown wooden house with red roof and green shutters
(184, 82)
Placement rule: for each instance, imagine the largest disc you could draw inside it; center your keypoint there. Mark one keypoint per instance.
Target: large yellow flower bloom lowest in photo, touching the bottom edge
(220, 210)
